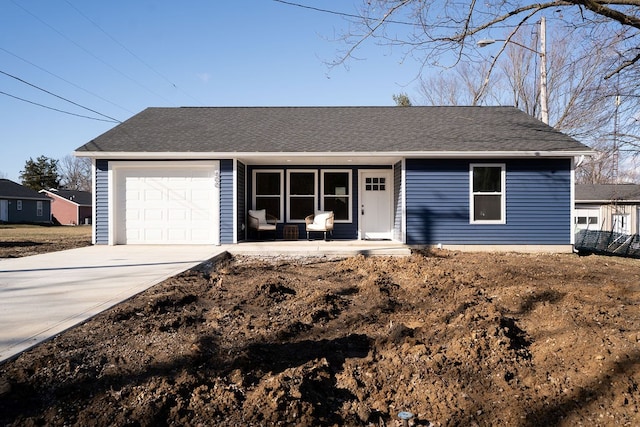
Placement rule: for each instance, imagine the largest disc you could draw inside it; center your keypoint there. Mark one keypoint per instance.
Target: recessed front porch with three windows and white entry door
(364, 197)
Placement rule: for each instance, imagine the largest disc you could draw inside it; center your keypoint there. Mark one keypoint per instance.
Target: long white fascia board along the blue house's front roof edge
(374, 154)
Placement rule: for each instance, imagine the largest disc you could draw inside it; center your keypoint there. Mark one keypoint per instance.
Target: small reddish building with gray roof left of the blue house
(70, 207)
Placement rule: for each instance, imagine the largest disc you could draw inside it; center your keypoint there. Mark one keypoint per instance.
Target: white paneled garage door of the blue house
(168, 205)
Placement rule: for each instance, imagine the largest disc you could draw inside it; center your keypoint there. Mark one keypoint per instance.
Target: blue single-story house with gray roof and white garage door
(455, 177)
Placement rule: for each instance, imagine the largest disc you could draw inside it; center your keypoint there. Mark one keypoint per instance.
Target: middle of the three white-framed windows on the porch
(302, 194)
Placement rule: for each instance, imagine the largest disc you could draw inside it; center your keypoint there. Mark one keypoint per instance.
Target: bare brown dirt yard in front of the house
(454, 338)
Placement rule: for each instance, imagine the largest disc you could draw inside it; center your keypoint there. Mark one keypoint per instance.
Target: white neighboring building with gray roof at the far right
(607, 207)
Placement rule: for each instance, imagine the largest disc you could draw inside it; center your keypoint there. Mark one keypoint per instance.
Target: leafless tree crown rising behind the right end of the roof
(581, 103)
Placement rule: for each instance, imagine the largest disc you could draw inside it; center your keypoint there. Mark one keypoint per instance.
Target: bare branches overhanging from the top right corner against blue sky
(432, 30)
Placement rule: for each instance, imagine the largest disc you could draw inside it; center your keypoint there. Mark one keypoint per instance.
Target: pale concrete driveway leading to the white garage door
(42, 295)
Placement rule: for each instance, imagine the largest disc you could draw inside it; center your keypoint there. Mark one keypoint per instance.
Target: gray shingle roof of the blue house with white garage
(332, 129)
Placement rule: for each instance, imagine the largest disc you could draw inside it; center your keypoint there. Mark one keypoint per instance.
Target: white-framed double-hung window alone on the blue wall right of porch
(487, 199)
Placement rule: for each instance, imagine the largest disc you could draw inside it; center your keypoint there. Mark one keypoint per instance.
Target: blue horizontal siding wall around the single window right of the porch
(538, 203)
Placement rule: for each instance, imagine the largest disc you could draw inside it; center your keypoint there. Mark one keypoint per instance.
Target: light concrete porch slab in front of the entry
(321, 248)
